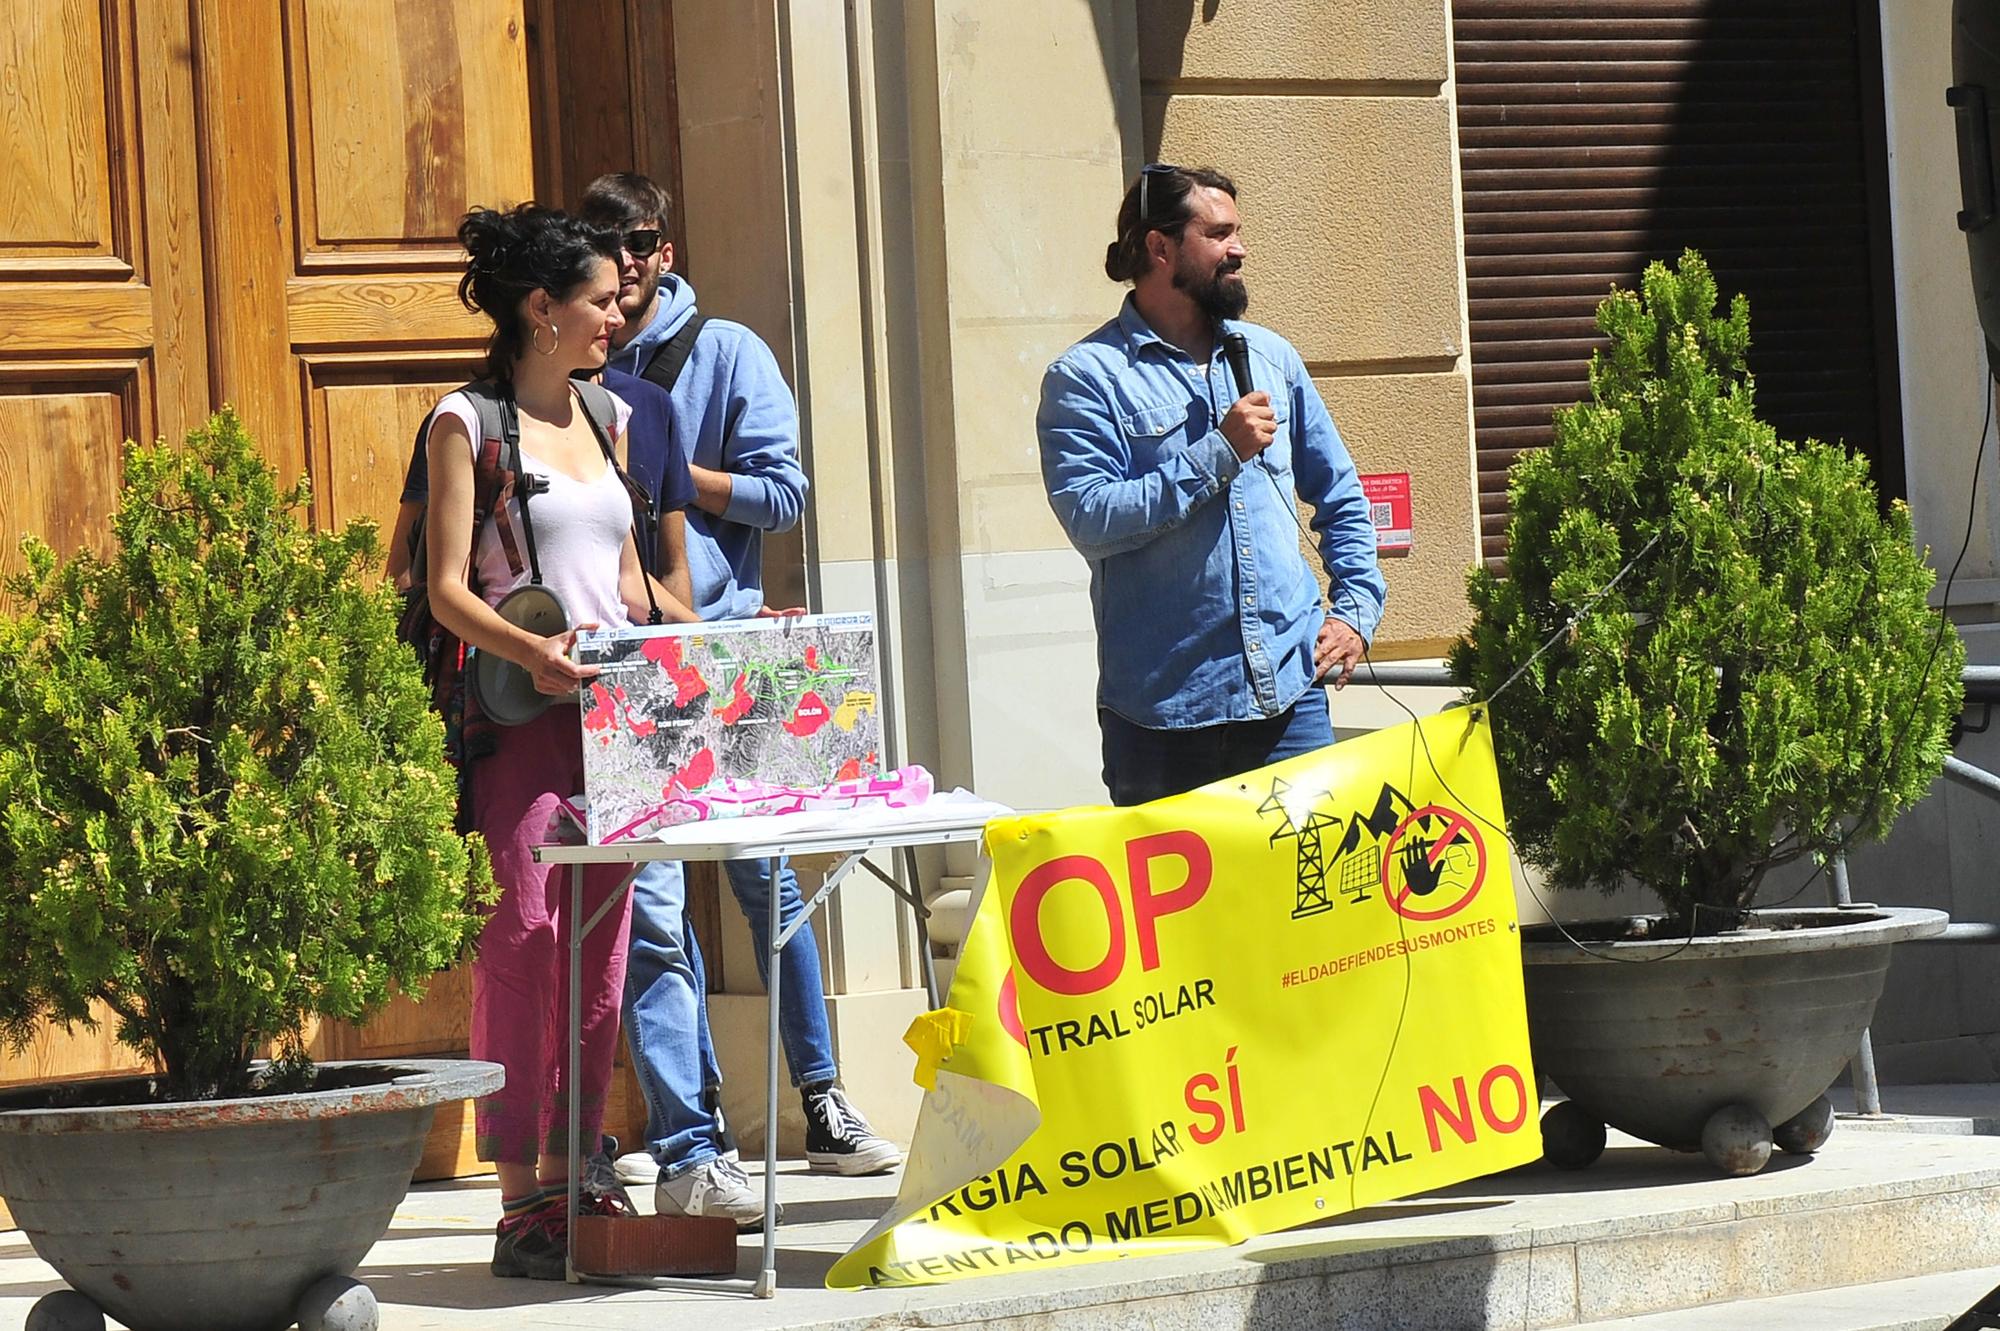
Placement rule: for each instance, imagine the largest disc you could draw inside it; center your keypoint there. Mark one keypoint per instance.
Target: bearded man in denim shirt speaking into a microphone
(1179, 491)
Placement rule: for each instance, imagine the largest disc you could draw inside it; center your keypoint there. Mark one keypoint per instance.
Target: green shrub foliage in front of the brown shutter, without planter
(1735, 702)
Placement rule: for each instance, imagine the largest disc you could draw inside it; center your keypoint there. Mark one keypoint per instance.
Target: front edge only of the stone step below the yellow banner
(1525, 1280)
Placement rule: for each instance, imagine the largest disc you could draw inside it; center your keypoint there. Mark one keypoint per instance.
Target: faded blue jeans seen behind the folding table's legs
(667, 1006)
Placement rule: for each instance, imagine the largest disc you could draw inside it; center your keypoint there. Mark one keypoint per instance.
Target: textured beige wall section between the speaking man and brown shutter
(1341, 133)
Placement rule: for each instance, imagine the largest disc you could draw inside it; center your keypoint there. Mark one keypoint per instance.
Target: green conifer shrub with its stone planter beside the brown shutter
(1741, 672)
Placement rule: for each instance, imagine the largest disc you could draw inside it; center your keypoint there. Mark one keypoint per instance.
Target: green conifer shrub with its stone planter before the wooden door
(225, 812)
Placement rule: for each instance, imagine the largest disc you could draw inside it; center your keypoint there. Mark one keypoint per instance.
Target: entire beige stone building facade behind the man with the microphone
(911, 199)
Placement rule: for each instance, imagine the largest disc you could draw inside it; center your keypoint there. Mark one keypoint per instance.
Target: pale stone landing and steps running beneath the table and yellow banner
(1645, 1236)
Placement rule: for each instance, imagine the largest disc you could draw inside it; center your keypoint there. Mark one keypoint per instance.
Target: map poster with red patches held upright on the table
(689, 722)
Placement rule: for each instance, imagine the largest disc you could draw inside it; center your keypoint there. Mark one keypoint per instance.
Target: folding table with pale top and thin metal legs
(763, 838)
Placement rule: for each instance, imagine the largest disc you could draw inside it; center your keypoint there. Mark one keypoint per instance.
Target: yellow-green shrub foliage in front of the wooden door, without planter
(225, 796)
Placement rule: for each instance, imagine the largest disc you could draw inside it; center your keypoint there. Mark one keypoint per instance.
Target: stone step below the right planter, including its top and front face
(1643, 1234)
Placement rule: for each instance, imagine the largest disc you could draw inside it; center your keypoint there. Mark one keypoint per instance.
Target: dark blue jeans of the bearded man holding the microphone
(1149, 764)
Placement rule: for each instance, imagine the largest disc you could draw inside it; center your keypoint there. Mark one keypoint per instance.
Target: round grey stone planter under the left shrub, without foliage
(219, 1216)
